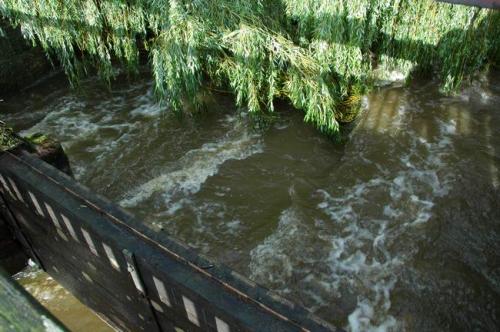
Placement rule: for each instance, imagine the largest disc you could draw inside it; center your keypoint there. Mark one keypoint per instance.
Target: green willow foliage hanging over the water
(317, 54)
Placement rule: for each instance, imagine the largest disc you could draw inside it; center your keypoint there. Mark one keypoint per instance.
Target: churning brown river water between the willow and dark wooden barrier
(396, 230)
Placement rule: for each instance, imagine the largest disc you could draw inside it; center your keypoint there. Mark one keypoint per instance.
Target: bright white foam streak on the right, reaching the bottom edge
(362, 250)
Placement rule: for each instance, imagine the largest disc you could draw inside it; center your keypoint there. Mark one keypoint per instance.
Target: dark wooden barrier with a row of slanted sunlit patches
(133, 277)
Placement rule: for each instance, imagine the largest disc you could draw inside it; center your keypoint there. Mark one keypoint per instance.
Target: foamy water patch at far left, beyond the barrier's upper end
(99, 127)
